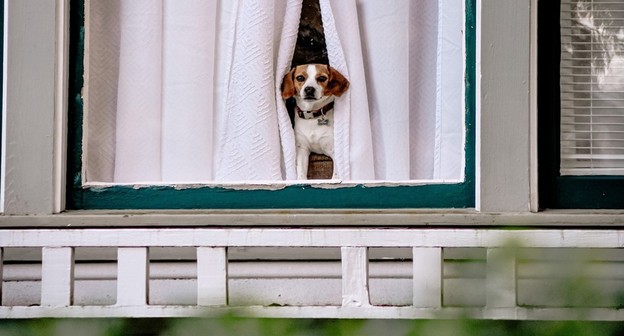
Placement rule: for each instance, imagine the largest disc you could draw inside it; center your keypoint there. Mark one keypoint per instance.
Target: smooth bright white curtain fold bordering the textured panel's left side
(187, 103)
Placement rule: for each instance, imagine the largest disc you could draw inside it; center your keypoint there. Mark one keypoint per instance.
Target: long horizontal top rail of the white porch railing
(322, 237)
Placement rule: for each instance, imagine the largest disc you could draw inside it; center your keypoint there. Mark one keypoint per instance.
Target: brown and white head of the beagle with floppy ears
(311, 83)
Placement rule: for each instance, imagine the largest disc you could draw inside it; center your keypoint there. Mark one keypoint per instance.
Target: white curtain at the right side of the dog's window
(414, 59)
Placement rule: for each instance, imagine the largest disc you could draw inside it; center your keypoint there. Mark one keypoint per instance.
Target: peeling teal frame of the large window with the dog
(456, 195)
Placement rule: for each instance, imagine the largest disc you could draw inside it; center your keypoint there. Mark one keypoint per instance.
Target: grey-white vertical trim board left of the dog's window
(31, 99)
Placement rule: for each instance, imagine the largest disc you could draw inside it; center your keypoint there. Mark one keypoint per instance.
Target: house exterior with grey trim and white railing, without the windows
(503, 257)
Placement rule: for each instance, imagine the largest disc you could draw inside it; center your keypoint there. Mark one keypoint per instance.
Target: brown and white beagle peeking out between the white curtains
(314, 87)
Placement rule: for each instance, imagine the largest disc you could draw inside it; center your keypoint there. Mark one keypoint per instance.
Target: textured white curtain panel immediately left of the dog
(249, 147)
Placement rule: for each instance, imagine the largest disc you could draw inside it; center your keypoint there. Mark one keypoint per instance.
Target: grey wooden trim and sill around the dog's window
(505, 136)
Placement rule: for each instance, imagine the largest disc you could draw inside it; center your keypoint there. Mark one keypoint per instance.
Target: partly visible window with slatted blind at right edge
(581, 88)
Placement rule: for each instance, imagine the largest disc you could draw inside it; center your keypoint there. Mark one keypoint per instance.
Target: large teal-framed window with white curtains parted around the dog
(105, 139)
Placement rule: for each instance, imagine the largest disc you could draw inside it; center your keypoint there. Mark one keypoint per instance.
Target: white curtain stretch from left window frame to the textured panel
(149, 115)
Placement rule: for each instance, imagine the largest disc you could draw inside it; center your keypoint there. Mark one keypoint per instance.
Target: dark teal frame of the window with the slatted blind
(557, 191)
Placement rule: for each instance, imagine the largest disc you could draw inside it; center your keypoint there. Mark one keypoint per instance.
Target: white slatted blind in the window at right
(592, 87)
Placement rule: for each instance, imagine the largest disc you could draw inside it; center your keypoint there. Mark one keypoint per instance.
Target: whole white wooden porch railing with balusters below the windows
(212, 277)
